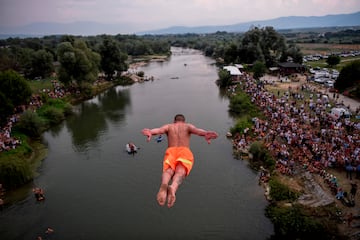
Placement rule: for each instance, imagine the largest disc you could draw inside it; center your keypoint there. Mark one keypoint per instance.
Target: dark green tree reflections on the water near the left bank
(90, 119)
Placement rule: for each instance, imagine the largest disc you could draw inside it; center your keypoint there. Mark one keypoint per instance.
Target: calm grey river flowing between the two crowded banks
(95, 190)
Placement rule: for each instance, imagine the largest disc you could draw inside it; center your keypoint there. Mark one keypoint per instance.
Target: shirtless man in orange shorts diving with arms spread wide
(178, 159)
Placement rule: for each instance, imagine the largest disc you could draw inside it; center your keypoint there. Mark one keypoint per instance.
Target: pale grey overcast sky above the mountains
(142, 15)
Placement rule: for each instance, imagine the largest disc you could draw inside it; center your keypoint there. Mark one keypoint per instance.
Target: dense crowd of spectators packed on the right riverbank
(299, 132)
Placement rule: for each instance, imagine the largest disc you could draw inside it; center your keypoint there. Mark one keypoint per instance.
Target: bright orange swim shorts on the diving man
(178, 155)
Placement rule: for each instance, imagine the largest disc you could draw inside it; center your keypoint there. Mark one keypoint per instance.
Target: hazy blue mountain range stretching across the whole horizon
(95, 28)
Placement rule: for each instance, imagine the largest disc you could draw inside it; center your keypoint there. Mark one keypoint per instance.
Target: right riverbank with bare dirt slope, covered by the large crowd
(285, 105)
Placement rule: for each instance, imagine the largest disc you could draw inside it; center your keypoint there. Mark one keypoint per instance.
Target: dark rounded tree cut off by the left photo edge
(14, 91)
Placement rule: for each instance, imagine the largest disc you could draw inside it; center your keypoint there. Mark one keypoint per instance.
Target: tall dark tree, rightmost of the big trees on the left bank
(112, 59)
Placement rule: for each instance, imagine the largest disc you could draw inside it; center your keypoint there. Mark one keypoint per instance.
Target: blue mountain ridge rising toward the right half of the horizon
(291, 22)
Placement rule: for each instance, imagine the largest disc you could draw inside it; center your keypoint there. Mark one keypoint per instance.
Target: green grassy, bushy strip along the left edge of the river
(19, 166)
